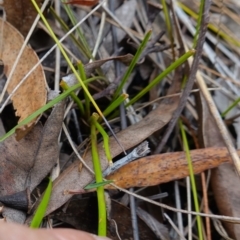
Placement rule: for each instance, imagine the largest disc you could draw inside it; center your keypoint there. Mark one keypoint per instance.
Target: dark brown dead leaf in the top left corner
(21, 14)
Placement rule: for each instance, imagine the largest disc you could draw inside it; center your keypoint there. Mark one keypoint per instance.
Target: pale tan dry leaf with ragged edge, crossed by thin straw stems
(33, 92)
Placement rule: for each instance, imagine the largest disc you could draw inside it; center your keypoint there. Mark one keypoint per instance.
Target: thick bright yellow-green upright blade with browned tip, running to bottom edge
(102, 213)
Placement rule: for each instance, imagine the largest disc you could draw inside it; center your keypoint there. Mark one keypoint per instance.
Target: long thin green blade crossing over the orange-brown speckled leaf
(192, 179)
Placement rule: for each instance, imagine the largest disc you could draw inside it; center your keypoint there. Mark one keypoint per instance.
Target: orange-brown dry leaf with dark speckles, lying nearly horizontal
(161, 168)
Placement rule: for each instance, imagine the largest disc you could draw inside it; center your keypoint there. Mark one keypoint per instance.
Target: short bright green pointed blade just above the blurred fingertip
(39, 214)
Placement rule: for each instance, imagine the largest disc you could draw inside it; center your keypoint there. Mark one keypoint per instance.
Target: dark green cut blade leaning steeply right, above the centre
(133, 63)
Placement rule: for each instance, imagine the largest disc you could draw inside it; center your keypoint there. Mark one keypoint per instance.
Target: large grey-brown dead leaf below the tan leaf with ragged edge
(25, 163)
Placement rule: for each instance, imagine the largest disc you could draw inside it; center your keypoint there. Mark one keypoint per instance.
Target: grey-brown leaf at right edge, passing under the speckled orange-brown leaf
(224, 180)
